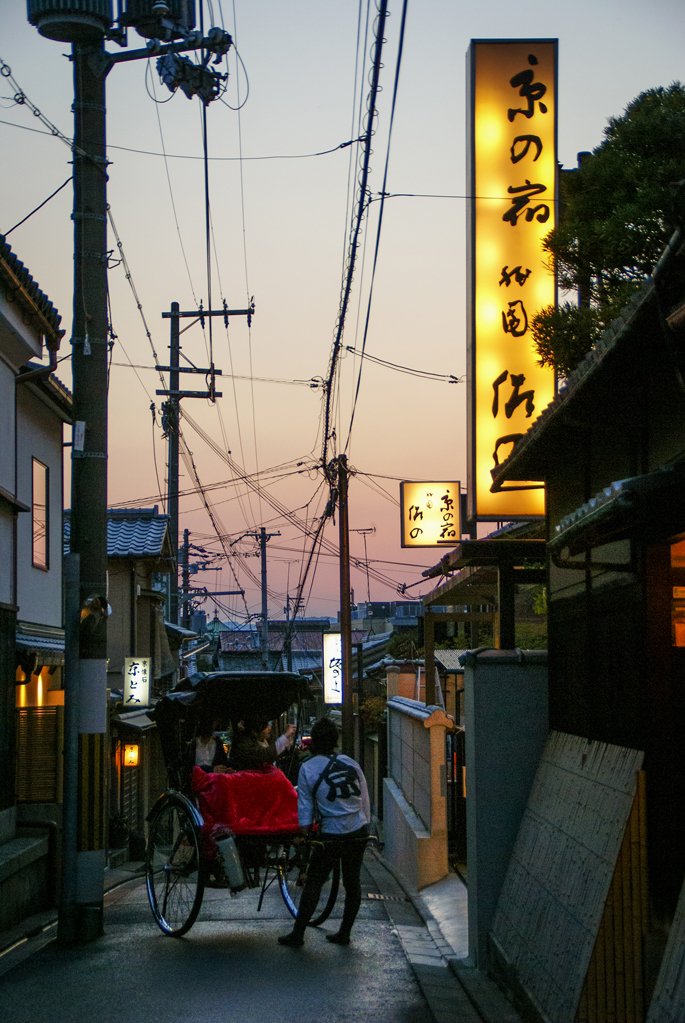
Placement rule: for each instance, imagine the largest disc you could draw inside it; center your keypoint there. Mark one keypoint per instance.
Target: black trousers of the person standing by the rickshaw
(349, 852)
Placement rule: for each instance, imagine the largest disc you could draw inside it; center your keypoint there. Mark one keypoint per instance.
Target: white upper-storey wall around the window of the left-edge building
(39, 436)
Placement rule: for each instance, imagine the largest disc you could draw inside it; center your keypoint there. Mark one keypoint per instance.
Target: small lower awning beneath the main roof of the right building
(651, 508)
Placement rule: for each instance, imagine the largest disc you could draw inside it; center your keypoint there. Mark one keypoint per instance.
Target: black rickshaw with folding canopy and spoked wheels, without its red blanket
(179, 857)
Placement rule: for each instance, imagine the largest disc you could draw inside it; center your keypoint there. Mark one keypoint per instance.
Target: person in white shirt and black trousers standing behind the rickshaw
(332, 791)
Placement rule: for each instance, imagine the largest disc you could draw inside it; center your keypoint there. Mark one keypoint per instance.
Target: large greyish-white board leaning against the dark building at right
(561, 871)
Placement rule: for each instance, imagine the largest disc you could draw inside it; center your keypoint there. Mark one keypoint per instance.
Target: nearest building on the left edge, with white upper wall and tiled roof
(34, 409)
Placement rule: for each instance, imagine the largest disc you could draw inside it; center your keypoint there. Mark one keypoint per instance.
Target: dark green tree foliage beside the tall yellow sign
(618, 212)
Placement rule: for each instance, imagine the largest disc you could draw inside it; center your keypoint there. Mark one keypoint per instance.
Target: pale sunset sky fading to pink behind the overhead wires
(300, 59)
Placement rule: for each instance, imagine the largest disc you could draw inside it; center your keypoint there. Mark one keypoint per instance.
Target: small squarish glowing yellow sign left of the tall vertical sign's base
(430, 515)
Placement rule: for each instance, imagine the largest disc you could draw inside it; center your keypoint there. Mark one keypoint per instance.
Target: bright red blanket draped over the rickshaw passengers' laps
(250, 803)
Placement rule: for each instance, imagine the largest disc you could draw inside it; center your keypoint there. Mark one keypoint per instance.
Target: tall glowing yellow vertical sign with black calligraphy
(513, 184)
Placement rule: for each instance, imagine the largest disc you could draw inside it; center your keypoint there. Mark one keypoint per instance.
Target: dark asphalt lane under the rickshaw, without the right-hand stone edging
(230, 968)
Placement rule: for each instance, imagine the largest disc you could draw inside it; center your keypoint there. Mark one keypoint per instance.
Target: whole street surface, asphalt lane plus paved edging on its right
(230, 968)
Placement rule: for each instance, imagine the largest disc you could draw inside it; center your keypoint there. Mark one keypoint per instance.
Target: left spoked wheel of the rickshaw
(174, 869)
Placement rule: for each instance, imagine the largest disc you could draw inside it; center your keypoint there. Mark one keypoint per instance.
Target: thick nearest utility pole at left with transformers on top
(85, 24)
